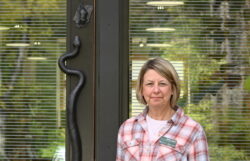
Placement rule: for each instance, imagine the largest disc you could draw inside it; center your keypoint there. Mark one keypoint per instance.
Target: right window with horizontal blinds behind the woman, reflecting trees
(208, 43)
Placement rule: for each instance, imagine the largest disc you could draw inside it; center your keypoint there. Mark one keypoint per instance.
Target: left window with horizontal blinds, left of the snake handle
(32, 104)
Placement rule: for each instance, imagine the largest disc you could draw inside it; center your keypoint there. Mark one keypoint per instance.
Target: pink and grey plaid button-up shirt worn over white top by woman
(182, 139)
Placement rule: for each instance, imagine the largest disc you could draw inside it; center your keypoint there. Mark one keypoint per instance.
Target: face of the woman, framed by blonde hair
(156, 89)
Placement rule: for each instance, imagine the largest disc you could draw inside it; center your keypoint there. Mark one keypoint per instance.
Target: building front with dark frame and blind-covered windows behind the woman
(207, 41)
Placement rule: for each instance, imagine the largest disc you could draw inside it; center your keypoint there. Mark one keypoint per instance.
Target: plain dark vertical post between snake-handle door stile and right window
(111, 73)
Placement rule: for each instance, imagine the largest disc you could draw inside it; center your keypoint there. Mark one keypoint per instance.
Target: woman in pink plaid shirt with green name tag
(161, 132)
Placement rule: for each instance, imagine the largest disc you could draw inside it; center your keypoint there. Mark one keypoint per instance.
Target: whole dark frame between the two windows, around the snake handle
(103, 102)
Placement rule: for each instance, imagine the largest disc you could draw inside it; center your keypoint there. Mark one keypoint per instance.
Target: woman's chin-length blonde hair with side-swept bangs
(165, 69)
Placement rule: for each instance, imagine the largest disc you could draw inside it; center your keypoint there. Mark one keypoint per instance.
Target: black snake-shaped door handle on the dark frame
(73, 129)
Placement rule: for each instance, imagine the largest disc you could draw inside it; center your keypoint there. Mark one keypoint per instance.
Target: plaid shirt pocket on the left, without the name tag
(131, 150)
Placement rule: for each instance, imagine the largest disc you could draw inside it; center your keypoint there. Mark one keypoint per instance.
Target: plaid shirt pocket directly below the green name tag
(169, 153)
